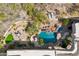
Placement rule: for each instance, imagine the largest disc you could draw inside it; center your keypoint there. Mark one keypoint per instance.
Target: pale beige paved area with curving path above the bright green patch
(17, 31)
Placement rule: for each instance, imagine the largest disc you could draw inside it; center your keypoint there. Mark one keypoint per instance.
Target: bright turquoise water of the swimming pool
(48, 37)
